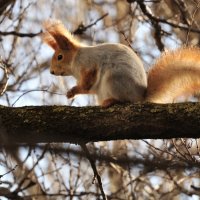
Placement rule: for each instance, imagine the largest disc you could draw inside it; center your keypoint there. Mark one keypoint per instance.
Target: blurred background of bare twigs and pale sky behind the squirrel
(144, 169)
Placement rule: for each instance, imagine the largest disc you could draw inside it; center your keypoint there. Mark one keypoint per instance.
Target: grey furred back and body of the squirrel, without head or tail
(120, 72)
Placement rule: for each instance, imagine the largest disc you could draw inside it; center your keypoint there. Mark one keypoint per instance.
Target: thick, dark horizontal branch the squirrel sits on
(44, 124)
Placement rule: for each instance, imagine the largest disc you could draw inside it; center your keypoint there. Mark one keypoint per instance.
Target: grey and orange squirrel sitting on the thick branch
(116, 74)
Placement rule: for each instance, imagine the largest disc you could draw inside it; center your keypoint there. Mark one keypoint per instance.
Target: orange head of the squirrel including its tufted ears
(62, 41)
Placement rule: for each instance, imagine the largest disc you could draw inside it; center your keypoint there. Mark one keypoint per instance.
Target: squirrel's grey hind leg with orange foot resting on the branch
(120, 87)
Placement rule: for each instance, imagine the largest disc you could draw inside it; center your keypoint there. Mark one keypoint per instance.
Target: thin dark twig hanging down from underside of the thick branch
(96, 174)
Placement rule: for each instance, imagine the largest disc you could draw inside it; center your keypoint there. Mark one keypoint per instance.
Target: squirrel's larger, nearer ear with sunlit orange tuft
(60, 34)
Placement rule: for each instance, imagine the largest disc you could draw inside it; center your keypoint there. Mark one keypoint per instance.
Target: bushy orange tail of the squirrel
(175, 74)
